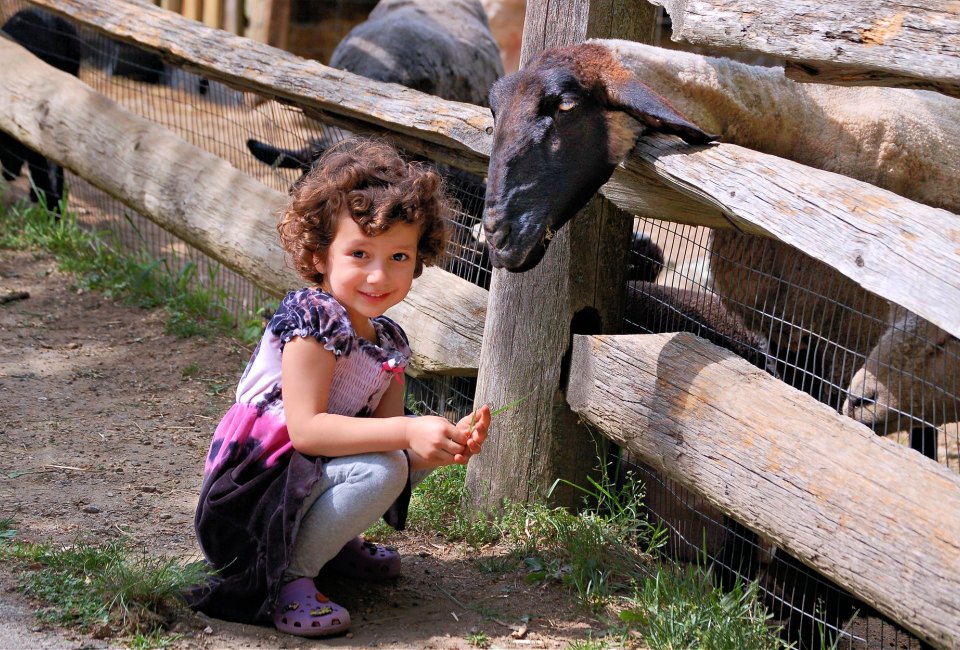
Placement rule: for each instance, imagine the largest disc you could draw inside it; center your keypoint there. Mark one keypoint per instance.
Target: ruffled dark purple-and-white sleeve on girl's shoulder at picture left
(314, 314)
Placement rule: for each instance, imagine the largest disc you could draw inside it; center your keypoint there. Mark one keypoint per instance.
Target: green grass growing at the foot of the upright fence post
(604, 555)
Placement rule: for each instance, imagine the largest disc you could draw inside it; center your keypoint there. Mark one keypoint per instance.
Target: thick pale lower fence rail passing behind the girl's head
(229, 215)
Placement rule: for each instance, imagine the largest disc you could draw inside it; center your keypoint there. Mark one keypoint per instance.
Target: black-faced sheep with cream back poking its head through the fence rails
(570, 116)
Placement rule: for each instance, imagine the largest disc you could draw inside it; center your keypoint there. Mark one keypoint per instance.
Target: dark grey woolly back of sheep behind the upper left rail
(440, 47)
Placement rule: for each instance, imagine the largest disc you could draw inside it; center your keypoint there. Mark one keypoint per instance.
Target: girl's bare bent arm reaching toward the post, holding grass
(307, 374)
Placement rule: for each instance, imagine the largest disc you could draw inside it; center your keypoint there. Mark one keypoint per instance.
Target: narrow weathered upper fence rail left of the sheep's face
(459, 132)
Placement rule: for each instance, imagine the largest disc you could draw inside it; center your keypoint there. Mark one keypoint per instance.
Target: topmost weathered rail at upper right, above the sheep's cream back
(855, 42)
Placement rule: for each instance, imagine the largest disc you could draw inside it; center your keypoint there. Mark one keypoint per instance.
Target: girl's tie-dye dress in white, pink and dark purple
(254, 481)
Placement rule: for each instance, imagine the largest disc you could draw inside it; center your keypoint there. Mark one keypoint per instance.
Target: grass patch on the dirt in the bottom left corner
(108, 589)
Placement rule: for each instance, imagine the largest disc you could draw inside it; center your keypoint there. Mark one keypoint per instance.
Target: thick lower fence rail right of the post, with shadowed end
(876, 517)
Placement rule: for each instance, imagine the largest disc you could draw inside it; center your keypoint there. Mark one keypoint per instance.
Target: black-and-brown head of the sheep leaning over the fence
(561, 126)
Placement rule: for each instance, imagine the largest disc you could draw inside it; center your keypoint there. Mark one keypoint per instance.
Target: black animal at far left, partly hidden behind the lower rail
(53, 40)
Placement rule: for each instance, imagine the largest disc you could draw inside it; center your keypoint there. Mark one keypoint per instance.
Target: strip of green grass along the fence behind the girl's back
(98, 263)
